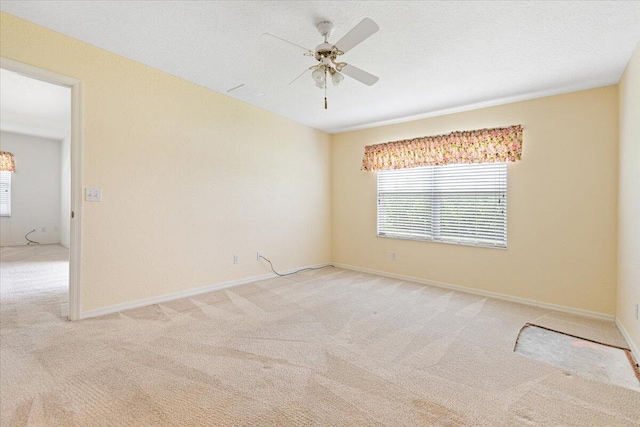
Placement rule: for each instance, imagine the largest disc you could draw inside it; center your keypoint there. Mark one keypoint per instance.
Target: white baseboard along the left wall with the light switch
(183, 294)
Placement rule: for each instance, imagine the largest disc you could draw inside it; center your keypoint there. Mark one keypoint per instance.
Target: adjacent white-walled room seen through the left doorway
(35, 124)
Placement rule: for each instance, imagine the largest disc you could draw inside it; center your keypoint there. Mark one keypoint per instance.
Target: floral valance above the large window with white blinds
(477, 146)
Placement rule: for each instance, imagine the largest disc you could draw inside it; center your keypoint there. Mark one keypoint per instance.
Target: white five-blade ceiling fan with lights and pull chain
(326, 55)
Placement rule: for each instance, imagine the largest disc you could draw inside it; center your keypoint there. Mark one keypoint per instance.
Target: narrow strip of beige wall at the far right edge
(629, 200)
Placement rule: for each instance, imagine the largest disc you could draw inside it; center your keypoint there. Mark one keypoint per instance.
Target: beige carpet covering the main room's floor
(328, 347)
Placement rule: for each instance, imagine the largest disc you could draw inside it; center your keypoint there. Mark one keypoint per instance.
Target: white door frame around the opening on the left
(75, 238)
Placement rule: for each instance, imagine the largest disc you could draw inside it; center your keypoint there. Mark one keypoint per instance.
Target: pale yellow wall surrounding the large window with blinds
(561, 205)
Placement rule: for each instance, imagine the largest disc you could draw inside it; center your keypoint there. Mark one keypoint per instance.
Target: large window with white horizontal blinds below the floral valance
(458, 203)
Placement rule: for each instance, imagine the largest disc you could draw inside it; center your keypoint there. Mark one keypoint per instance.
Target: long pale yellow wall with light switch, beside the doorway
(189, 177)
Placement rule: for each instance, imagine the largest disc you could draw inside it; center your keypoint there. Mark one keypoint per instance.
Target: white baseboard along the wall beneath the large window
(526, 301)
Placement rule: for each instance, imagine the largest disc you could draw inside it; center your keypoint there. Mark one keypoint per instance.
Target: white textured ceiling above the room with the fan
(431, 57)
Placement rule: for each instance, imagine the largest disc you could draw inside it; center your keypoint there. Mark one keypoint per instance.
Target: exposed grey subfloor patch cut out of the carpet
(593, 360)
